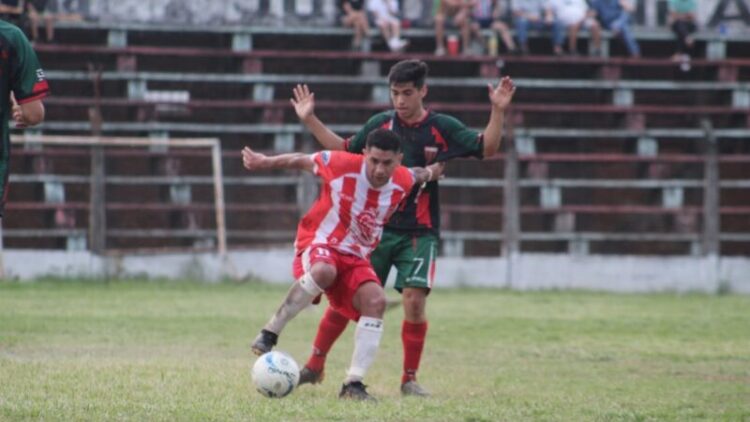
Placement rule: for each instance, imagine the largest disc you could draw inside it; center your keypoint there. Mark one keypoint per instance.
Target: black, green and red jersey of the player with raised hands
(437, 137)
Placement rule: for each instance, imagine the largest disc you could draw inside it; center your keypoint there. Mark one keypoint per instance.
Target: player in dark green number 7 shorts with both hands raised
(410, 239)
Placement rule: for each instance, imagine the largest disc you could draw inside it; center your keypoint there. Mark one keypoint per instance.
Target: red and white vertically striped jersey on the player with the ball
(349, 213)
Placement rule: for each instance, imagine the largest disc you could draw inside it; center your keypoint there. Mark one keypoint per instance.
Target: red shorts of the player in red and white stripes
(351, 272)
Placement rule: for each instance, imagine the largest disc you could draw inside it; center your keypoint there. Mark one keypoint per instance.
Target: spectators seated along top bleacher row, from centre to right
(562, 19)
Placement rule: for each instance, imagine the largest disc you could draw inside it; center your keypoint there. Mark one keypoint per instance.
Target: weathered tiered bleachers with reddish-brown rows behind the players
(609, 153)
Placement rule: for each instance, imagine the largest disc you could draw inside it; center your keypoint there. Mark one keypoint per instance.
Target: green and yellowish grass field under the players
(179, 351)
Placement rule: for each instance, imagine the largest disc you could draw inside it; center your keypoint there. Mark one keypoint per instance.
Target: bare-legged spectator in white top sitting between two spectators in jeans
(570, 17)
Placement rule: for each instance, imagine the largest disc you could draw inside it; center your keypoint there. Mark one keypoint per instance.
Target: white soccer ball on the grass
(275, 374)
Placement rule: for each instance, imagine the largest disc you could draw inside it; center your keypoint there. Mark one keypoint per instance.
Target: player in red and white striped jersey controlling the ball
(335, 238)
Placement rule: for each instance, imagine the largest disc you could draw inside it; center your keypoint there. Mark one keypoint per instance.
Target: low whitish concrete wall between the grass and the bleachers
(523, 272)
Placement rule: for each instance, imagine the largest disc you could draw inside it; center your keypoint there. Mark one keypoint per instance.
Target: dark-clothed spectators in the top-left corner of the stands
(30, 15)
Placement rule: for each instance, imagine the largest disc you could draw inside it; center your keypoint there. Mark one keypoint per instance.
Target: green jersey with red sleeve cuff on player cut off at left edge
(20, 73)
